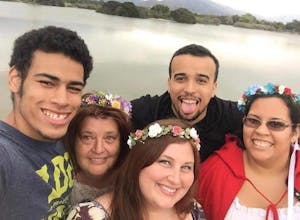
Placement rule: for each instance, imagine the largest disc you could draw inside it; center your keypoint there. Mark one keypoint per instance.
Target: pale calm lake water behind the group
(131, 56)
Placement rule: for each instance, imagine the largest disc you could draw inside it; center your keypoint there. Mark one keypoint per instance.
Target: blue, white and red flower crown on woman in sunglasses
(267, 89)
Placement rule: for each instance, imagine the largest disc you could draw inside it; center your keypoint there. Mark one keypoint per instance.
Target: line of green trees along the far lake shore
(181, 15)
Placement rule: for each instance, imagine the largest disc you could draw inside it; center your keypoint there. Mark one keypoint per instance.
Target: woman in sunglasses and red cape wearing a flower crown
(257, 178)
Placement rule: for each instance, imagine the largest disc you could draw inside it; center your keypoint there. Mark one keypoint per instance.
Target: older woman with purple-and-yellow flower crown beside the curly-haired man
(96, 141)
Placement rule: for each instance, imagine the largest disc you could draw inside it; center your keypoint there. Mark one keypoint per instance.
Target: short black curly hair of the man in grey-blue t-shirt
(50, 39)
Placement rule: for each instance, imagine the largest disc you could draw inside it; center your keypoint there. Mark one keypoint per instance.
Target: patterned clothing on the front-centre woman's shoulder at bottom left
(88, 211)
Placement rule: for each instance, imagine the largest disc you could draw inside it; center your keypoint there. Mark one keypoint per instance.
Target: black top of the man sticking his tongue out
(222, 117)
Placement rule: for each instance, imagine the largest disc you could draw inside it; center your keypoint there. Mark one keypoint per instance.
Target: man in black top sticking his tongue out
(192, 84)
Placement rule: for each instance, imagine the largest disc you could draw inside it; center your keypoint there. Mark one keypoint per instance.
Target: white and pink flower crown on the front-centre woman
(156, 130)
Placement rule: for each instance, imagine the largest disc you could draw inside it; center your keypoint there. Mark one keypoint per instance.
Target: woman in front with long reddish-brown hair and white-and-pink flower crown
(157, 179)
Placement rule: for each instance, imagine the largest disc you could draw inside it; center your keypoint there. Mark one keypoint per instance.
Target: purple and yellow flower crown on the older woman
(106, 100)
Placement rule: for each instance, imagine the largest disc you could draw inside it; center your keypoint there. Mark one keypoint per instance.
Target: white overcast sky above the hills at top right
(266, 8)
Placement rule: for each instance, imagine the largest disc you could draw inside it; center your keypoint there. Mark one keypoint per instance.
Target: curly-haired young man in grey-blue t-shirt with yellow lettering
(48, 70)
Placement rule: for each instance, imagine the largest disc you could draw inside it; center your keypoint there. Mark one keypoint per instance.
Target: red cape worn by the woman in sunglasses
(221, 177)
